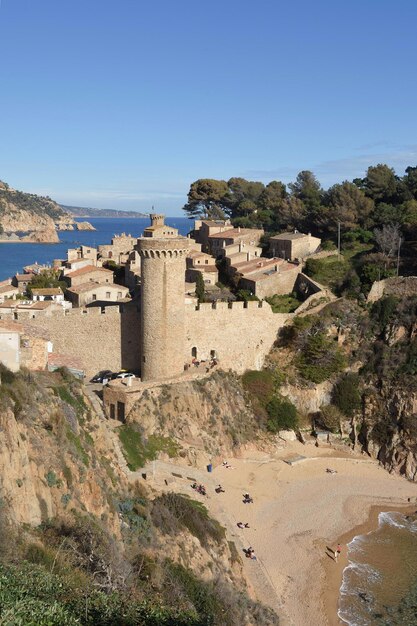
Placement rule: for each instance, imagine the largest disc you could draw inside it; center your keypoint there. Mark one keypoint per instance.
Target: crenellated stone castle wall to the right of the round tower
(240, 334)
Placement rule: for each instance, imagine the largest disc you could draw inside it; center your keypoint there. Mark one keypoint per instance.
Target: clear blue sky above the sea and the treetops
(123, 104)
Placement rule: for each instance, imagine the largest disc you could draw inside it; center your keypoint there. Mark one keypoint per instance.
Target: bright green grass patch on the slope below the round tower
(138, 451)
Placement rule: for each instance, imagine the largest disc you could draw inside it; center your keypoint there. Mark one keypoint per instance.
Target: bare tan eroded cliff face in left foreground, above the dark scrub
(50, 453)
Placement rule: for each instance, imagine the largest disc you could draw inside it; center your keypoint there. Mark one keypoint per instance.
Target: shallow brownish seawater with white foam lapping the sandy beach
(380, 583)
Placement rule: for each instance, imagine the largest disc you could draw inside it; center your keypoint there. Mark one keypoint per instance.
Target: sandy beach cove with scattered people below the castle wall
(299, 514)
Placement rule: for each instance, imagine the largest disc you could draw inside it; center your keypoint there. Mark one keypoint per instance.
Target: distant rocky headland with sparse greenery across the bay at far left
(23, 212)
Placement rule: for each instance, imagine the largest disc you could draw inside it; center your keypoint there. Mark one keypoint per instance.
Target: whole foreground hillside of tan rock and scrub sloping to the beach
(91, 546)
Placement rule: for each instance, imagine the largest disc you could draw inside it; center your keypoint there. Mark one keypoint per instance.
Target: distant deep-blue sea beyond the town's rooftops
(14, 256)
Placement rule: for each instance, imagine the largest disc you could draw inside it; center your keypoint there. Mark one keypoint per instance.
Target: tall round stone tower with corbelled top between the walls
(162, 306)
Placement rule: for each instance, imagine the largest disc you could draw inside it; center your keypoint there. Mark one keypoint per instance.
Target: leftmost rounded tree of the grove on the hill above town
(207, 198)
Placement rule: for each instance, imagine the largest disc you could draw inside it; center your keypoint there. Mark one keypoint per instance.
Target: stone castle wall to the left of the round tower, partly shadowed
(101, 340)
